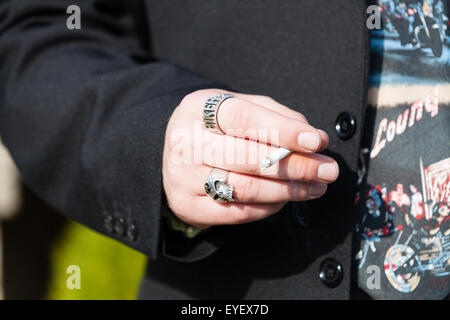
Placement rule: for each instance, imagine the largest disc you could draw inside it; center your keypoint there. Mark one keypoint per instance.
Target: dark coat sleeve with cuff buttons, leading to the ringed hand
(83, 112)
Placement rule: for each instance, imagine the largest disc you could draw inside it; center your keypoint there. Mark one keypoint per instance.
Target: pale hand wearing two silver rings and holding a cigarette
(258, 193)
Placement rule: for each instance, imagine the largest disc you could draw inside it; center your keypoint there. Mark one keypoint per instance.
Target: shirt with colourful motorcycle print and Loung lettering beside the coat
(405, 226)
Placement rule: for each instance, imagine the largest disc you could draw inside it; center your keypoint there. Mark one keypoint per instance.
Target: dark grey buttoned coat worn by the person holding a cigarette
(83, 113)
